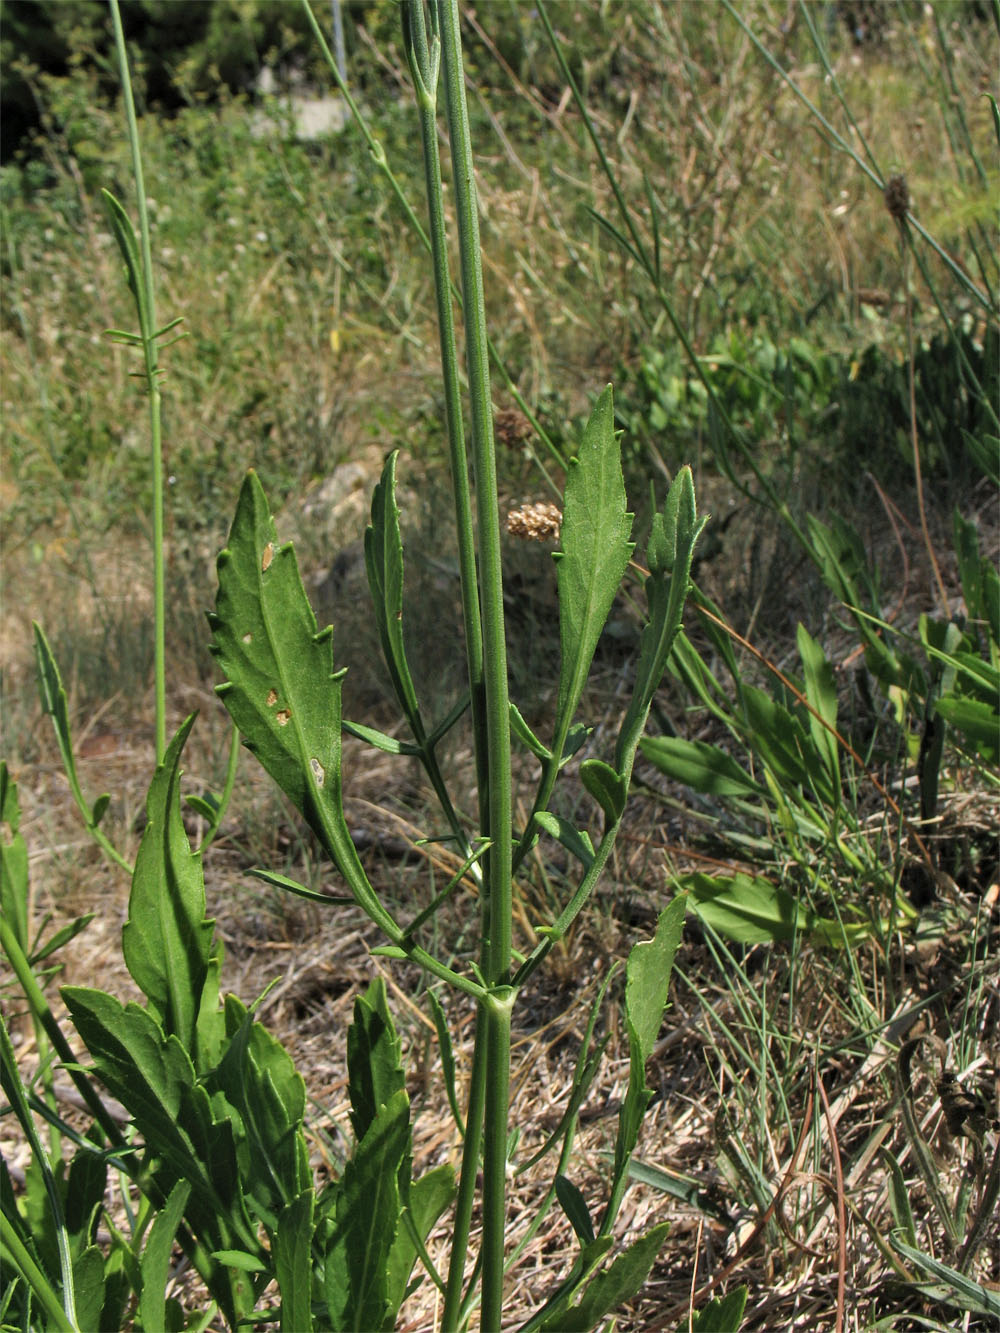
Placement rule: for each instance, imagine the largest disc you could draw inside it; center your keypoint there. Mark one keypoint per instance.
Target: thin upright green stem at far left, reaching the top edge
(149, 331)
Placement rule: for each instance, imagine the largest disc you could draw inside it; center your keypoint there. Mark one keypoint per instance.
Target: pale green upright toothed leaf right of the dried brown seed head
(595, 553)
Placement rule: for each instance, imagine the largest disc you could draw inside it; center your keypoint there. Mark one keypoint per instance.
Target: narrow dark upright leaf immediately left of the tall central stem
(383, 559)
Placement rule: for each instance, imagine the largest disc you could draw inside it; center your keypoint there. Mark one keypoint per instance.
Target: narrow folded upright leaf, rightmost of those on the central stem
(670, 554)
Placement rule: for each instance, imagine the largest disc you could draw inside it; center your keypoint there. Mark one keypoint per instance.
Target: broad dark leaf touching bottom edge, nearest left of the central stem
(369, 1212)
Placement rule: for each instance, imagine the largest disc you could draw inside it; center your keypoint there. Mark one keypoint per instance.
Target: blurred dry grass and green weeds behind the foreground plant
(310, 351)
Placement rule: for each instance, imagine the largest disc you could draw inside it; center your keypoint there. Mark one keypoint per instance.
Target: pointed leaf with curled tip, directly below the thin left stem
(167, 940)
